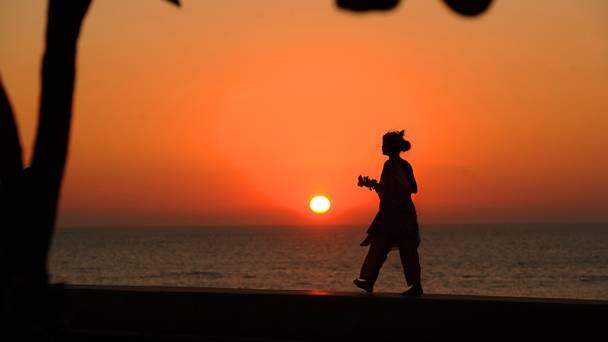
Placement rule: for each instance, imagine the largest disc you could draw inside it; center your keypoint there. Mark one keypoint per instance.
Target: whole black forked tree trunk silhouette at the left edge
(29, 198)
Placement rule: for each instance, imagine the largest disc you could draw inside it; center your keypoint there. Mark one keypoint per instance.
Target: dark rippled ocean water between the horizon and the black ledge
(558, 261)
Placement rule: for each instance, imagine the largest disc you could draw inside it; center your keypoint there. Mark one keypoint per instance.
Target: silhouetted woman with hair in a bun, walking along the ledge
(395, 224)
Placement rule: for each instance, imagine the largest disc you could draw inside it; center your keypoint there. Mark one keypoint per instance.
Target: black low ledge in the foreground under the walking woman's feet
(191, 314)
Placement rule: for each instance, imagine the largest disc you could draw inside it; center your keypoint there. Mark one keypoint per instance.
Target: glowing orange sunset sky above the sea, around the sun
(229, 112)
